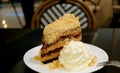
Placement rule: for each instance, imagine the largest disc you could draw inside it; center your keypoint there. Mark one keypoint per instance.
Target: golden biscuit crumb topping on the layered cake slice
(54, 30)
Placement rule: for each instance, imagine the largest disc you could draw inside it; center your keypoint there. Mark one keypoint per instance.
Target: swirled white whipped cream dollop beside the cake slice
(75, 56)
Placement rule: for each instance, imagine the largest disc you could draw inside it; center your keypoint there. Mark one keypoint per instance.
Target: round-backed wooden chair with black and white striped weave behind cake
(50, 10)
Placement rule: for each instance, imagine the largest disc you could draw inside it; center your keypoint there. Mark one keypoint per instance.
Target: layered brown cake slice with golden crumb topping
(56, 34)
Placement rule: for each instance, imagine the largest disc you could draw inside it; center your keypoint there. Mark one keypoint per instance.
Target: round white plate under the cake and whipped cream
(36, 66)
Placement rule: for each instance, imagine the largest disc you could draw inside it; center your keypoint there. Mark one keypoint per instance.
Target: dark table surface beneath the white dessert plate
(14, 43)
